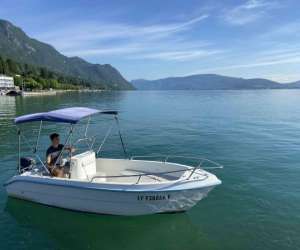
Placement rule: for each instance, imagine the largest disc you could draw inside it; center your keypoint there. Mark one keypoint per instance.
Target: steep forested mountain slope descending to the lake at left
(15, 44)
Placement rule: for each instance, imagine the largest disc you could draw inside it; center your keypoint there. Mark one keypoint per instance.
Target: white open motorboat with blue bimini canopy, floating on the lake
(129, 186)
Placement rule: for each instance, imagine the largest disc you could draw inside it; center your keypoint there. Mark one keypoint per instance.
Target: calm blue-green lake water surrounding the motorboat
(254, 134)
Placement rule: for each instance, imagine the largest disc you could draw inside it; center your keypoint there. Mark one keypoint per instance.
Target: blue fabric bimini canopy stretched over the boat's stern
(65, 115)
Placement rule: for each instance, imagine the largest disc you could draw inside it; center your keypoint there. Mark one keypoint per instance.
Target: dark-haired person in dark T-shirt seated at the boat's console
(52, 155)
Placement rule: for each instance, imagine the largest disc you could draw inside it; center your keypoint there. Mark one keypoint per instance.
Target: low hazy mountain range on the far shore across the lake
(209, 82)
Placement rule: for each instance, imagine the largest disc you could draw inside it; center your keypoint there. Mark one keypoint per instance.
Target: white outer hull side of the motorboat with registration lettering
(87, 198)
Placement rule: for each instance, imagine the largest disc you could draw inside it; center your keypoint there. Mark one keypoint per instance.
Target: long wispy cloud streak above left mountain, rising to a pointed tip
(92, 32)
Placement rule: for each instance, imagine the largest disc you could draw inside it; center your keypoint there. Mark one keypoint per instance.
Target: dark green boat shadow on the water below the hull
(74, 230)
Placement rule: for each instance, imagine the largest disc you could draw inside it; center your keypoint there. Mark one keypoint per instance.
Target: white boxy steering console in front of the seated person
(83, 166)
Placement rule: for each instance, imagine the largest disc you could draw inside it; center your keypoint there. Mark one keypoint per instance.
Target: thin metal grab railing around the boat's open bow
(166, 158)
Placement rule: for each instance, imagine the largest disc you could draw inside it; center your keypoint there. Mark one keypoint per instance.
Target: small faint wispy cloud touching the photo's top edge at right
(248, 12)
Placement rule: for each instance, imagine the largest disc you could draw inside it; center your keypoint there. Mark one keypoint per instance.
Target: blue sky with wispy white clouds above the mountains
(156, 39)
